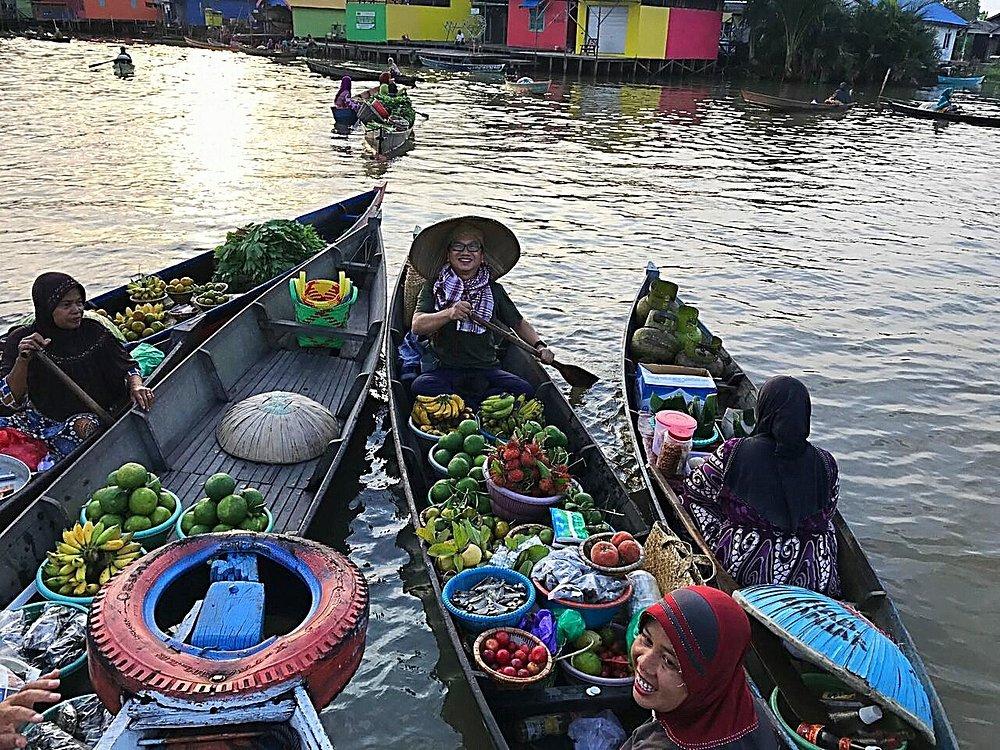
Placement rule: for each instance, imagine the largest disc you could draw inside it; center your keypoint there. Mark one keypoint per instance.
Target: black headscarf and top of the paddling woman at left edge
(90, 355)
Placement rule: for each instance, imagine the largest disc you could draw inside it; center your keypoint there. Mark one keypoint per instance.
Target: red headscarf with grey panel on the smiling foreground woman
(710, 634)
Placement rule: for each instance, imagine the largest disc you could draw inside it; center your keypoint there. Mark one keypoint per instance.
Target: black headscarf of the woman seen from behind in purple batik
(777, 470)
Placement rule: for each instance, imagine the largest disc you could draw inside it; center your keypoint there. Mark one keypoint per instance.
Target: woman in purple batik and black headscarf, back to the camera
(765, 504)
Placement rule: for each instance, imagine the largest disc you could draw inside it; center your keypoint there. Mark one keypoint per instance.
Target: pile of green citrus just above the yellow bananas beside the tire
(133, 500)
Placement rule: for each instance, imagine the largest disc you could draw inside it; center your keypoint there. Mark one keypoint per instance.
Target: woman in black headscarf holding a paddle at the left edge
(39, 403)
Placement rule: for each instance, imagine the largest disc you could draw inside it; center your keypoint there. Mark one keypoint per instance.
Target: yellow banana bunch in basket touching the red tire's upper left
(87, 558)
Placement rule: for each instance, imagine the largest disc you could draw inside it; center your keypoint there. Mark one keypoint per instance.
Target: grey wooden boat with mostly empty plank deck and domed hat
(254, 352)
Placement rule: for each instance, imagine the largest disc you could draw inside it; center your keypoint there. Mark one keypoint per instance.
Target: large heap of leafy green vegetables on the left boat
(256, 253)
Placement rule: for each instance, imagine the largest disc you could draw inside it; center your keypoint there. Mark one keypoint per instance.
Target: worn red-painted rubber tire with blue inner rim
(125, 658)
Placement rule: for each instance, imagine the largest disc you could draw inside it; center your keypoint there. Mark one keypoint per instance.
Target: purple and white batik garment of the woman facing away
(751, 548)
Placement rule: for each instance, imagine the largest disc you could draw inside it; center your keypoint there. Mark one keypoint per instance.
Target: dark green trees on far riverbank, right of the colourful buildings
(830, 40)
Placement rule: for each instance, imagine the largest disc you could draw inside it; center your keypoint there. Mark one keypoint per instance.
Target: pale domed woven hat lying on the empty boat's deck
(277, 428)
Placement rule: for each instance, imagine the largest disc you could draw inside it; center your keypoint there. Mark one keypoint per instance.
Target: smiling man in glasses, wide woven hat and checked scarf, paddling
(460, 260)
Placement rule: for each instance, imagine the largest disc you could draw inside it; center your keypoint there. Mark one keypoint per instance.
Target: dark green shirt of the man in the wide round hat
(462, 349)
